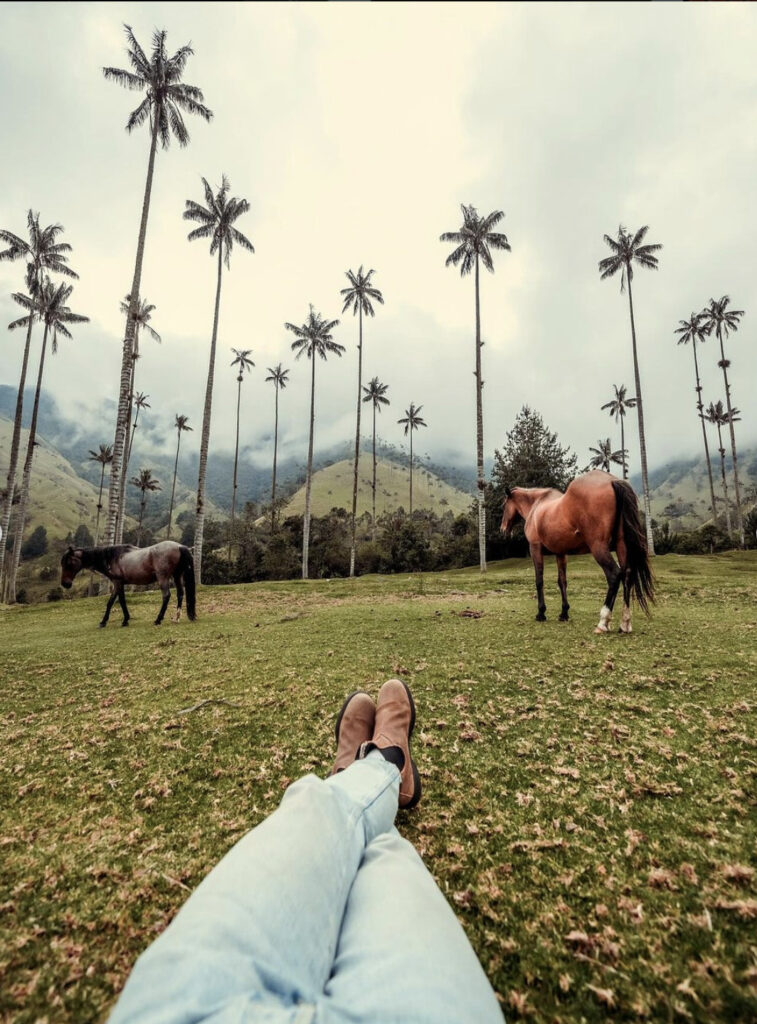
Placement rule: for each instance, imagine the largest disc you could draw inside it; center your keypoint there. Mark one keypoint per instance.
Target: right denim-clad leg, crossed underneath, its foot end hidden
(403, 957)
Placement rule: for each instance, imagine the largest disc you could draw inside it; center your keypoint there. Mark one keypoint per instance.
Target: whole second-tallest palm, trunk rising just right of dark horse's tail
(217, 223)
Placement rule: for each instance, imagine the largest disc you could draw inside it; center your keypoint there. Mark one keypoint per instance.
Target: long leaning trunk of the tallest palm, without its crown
(119, 444)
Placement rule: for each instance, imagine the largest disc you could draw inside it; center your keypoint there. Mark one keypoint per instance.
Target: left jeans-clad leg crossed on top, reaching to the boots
(265, 924)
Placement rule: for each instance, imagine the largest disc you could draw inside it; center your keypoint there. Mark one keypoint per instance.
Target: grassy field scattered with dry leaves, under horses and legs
(591, 803)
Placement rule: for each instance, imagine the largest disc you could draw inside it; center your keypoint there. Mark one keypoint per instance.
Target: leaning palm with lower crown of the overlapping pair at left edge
(51, 307)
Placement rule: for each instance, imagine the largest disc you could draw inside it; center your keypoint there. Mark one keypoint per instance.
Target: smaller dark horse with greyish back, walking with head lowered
(124, 564)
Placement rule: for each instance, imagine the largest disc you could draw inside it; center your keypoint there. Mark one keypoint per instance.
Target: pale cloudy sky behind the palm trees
(356, 131)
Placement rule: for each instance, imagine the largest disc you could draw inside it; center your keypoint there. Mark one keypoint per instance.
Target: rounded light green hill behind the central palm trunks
(332, 488)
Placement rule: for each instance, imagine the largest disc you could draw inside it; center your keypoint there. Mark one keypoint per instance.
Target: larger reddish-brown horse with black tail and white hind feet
(599, 514)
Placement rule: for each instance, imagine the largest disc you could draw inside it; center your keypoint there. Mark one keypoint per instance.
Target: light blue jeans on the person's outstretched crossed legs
(322, 915)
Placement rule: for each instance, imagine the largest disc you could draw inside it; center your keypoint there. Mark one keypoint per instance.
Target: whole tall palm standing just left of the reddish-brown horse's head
(474, 244)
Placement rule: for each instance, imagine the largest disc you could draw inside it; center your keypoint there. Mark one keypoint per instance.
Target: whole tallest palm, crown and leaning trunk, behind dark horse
(166, 97)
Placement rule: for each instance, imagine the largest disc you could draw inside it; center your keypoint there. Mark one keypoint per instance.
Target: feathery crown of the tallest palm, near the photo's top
(167, 97)
